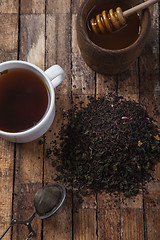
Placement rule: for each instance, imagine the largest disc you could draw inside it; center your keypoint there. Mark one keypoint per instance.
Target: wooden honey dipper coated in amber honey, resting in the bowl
(114, 20)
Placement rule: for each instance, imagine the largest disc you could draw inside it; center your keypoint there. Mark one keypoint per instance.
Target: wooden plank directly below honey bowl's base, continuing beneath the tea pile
(108, 215)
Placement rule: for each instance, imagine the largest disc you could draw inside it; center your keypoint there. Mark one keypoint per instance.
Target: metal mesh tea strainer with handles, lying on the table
(47, 201)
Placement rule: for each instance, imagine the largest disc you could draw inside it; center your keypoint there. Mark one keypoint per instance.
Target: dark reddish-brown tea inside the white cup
(24, 99)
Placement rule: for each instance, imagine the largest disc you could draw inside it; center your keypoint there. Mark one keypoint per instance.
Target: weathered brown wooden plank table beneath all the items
(44, 33)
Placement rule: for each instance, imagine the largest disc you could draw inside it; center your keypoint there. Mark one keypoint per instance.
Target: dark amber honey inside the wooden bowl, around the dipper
(118, 39)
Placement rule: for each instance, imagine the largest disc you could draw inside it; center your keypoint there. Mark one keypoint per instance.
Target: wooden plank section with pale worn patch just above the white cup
(32, 39)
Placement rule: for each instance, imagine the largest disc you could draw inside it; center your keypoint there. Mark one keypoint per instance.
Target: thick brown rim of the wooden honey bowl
(92, 44)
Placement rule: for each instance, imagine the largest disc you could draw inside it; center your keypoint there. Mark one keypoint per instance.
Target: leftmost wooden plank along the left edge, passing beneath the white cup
(8, 51)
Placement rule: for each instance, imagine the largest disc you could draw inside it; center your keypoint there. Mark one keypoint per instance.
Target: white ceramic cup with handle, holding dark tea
(52, 77)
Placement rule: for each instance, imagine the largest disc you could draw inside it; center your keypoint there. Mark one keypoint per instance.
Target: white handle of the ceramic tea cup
(55, 74)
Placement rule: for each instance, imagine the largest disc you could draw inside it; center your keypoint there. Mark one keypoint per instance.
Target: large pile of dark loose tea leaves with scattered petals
(112, 145)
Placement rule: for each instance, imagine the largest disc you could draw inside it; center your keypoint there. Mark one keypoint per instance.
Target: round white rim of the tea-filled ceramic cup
(49, 109)
